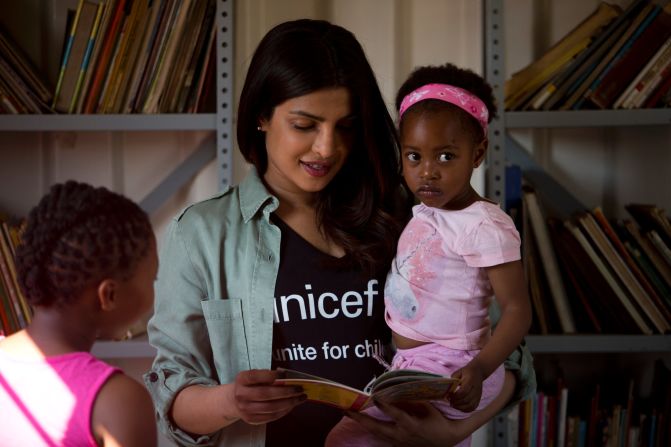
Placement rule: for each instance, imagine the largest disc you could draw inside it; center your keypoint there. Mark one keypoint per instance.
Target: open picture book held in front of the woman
(401, 385)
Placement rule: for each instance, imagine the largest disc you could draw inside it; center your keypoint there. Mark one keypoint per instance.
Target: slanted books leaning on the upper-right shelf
(614, 59)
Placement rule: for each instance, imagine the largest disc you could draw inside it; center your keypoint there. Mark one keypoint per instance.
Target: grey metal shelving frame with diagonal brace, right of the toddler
(581, 356)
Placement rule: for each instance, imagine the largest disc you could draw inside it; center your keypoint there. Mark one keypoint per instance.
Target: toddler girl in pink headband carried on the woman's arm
(457, 253)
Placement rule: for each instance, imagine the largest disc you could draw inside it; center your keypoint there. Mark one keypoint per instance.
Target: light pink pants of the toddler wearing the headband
(432, 358)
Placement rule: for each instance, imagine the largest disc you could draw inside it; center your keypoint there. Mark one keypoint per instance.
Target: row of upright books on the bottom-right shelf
(612, 414)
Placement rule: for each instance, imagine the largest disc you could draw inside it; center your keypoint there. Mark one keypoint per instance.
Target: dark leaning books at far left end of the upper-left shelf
(21, 88)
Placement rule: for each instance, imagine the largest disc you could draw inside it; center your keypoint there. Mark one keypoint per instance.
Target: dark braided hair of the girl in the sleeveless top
(76, 236)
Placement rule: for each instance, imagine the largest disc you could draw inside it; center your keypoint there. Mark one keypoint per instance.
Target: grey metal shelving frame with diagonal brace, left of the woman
(219, 146)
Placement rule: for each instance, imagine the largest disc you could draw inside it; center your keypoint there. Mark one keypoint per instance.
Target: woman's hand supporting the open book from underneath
(417, 424)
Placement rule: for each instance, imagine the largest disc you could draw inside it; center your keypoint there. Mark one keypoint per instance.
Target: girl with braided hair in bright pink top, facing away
(87, 265)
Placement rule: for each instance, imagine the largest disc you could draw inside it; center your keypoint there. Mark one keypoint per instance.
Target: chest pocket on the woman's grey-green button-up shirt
(227, 337)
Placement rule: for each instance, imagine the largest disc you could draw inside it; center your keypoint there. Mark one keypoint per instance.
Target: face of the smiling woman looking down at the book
(308, 139)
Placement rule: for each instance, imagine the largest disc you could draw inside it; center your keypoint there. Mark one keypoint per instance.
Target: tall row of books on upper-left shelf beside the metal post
(137, 56)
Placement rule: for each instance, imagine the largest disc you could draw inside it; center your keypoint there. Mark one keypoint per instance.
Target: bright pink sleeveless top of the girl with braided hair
(49, 402)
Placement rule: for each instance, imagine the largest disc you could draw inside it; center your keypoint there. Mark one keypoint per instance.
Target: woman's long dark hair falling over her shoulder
(357, 209)
